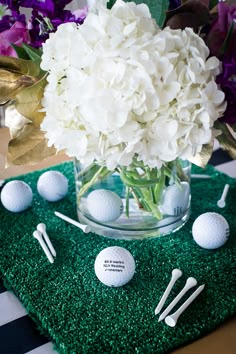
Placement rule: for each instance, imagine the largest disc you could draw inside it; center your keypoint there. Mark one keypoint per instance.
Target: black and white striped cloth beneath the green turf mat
(18, 333)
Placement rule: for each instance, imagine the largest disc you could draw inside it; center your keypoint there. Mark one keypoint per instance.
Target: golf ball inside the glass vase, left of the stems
(104, 205)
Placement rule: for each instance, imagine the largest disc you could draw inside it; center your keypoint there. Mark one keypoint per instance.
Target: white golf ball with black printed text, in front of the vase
(114, 266)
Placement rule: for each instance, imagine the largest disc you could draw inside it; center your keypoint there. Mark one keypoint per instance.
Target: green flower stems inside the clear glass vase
(144, 184)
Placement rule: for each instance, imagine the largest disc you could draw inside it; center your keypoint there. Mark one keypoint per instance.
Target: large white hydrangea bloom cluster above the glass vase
(120, 88)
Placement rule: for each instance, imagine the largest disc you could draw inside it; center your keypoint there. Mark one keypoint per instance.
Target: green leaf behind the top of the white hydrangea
(157, 8)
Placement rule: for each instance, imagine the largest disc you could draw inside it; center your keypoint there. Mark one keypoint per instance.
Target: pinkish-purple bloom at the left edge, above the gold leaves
(17, 34)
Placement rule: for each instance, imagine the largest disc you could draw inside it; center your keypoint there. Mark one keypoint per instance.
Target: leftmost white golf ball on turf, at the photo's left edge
(16, 196)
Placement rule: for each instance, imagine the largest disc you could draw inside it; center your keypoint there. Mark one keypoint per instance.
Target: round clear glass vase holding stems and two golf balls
(138, 202)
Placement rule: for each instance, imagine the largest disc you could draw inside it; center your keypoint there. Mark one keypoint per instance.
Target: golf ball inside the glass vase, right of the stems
(176, 199)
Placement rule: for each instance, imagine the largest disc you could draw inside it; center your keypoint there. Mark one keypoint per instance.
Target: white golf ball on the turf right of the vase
(210, 230)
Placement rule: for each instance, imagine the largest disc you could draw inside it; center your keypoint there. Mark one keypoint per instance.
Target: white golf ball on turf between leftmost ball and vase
(52, 186)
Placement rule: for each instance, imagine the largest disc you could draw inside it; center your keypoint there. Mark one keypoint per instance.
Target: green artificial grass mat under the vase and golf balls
(82, 315)
